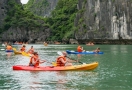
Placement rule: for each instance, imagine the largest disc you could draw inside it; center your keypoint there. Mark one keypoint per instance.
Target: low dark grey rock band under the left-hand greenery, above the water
(22, 34)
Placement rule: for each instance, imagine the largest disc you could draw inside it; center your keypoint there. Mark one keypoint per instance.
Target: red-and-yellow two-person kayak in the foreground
(90, 66)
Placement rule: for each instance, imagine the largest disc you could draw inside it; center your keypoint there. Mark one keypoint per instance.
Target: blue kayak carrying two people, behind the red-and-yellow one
(84, 52)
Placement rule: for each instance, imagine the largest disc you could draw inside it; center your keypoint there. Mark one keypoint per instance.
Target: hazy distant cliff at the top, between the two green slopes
(42, 7)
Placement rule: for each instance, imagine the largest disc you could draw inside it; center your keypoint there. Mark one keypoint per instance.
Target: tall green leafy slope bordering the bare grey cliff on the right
(62, 20)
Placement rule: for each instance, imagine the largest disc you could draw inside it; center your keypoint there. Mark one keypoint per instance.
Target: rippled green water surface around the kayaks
(113, 73)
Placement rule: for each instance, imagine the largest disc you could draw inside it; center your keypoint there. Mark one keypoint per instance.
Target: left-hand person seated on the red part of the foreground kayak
(34, 60)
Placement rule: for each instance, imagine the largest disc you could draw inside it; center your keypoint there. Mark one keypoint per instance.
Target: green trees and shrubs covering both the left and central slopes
(61, 20)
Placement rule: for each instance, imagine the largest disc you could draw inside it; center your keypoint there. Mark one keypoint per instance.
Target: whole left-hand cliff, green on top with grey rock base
(21, 25)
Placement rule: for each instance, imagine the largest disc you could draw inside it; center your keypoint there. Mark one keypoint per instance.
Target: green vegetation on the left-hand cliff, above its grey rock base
(18, 17)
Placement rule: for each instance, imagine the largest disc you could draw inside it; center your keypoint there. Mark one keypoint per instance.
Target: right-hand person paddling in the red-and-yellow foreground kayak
(63, 60)
